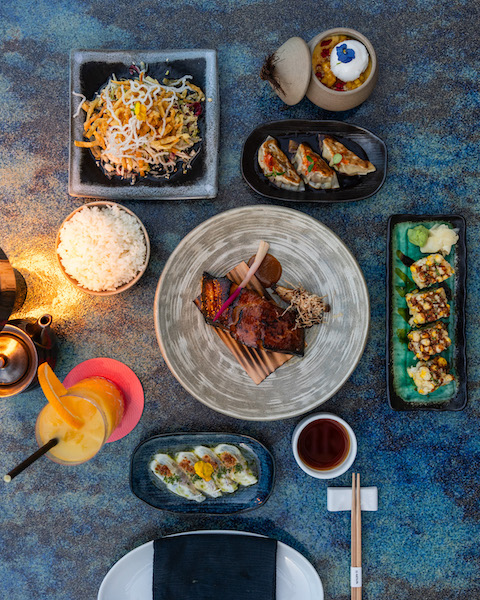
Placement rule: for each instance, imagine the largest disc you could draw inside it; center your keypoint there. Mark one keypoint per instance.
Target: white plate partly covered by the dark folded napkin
(132, 576)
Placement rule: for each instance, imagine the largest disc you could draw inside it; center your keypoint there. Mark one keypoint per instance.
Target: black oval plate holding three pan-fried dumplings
(361, 141)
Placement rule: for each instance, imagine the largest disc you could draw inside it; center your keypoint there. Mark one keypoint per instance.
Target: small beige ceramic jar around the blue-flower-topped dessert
(331, 99)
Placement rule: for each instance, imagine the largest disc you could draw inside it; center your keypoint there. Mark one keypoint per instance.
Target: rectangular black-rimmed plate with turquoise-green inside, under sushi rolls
(402, 393)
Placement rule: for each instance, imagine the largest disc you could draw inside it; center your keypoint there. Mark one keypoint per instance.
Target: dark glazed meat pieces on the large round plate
(251, 319)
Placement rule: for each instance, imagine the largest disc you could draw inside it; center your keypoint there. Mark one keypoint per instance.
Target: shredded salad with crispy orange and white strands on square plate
(140, 126)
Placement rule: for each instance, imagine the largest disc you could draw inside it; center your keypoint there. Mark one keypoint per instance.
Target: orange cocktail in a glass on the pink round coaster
(94, 409)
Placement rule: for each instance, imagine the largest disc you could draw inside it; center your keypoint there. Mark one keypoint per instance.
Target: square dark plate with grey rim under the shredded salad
(90, 70)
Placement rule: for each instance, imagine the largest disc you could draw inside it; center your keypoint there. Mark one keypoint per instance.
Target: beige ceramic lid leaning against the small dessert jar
(292, 69)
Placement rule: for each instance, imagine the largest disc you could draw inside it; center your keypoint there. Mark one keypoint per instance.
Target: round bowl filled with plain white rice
(103, 248)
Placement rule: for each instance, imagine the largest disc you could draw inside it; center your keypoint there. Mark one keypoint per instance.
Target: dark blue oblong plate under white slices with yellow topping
(152, 491)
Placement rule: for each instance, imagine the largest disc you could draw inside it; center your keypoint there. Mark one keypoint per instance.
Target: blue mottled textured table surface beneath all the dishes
(63, 528)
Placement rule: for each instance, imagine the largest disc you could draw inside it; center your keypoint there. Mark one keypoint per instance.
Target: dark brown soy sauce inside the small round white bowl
(323, 444)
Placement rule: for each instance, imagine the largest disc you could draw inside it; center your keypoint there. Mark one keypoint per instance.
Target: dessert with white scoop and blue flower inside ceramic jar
(341, 63)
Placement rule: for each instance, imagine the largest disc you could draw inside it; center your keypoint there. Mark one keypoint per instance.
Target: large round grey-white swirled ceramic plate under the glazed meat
(310, 254)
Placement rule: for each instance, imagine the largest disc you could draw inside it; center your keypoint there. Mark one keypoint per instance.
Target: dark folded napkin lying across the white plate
(204, 566)
